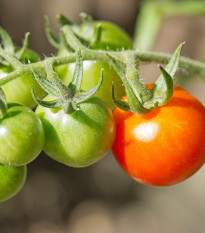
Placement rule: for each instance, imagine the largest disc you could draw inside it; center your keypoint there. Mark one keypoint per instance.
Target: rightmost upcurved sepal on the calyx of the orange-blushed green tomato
(83, 96)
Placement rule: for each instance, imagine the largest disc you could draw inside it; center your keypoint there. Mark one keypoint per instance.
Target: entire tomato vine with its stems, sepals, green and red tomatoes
(140, 119)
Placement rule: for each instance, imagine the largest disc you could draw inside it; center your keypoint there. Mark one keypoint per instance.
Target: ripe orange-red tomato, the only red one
(165, 146)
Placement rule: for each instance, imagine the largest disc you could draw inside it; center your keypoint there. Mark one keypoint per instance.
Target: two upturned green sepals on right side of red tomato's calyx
(163, 88)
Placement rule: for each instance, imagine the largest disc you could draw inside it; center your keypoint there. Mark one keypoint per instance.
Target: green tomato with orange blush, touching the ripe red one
(81, 138)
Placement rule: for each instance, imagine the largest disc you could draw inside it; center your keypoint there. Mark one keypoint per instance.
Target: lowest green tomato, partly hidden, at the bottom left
(12, 180)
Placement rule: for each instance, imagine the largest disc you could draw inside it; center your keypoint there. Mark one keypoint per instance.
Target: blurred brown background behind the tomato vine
(102, 198)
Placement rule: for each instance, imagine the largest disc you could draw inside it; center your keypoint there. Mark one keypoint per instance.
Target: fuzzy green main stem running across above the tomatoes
(190, 65)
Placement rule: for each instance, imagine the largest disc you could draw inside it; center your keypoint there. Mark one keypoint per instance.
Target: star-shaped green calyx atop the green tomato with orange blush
(67, 97)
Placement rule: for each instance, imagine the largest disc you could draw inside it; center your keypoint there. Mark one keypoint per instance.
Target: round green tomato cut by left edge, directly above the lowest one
(21, 136)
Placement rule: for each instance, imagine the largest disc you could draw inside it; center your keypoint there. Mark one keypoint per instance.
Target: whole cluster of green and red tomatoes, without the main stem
(162, 147)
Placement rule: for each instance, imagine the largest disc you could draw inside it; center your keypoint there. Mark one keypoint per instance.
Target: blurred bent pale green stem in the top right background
(153, 13)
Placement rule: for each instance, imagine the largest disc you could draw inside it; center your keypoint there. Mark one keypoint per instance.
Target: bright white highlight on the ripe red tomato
(146, 132)
